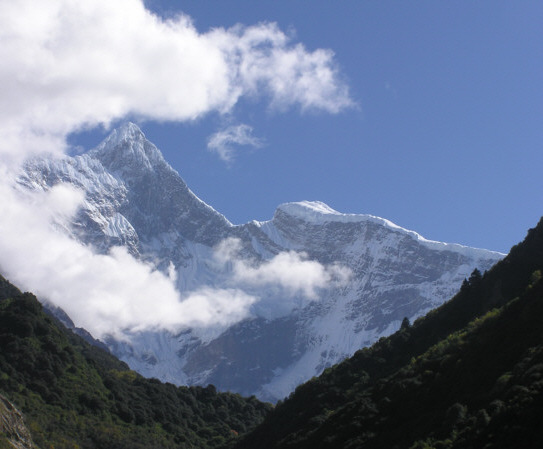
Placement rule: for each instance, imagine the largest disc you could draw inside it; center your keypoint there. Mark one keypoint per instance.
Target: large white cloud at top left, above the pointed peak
(69, 64)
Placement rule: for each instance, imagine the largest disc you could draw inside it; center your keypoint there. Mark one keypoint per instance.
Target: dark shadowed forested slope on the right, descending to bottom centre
(468, 375)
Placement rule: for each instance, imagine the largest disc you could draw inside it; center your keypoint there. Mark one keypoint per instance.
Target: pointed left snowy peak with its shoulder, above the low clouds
(130, 186)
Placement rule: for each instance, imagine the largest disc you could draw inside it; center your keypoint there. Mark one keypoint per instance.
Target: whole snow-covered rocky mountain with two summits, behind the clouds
(135, 199)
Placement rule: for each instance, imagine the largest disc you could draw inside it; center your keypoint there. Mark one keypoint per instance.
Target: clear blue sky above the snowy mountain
(445, 138)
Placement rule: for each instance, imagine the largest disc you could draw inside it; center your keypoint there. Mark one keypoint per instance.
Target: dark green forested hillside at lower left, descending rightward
(74, 395)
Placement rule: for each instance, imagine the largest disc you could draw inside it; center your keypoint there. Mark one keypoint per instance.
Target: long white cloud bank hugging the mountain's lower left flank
(106, 294)
